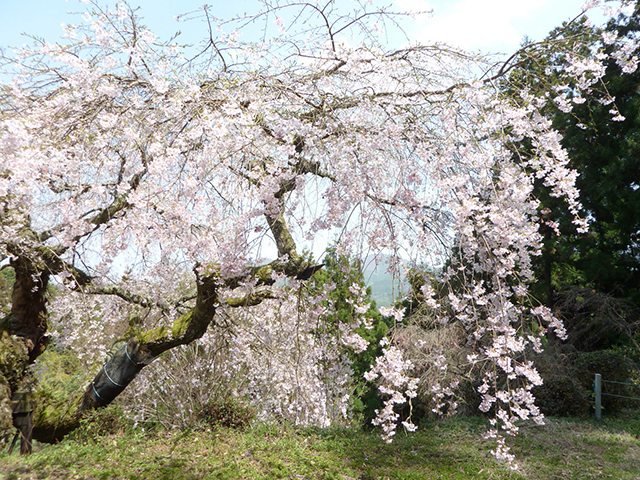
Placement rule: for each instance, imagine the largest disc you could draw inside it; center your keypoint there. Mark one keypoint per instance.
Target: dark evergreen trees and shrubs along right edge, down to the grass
(591, 280)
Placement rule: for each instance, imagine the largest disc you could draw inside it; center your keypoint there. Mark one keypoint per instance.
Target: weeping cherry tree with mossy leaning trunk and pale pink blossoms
(120, 151)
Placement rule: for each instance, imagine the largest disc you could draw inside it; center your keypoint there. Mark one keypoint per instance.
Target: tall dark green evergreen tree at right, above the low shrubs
(591, 279)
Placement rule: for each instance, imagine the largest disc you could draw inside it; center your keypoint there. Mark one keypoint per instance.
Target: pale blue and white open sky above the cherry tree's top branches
(493, 26)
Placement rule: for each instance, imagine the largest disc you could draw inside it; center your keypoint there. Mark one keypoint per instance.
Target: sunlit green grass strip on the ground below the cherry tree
(453, 449)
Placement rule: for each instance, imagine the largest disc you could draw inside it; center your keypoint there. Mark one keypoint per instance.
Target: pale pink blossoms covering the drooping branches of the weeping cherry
(139, 166)
